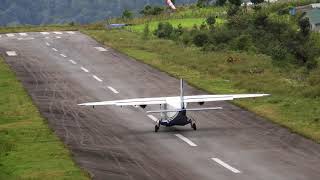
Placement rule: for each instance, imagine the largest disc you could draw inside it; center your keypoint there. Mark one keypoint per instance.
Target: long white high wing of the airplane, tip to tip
(163, 100)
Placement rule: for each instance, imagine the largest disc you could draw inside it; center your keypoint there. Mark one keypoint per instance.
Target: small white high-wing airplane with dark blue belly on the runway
(173, 110)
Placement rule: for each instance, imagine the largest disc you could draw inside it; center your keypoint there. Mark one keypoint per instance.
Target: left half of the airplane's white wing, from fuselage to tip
(128, 102)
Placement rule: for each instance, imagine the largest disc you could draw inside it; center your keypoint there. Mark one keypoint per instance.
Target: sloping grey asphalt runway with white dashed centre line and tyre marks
(61, 69)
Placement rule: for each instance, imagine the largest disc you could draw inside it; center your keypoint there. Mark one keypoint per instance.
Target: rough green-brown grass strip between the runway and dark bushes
(291, 105)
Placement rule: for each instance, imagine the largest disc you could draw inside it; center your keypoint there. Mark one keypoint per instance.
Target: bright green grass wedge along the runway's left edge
(28, 148)
